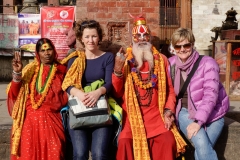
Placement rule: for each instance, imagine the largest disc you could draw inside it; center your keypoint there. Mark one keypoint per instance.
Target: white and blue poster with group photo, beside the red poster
(29, 31)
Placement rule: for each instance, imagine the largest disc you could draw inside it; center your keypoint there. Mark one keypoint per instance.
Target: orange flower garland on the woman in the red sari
(37, 81)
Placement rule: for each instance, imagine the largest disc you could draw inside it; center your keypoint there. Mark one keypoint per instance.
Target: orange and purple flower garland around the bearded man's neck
(135, 73)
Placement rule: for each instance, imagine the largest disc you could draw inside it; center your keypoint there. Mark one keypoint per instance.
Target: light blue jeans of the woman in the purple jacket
(205, 139)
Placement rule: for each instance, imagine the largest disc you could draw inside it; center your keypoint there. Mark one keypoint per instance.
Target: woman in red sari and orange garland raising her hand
(35, 98)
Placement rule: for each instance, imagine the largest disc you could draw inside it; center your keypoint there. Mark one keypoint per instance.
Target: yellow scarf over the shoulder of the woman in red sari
(18, 111)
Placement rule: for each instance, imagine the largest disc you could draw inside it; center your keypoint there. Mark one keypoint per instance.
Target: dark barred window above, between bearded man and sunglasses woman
(169, 13)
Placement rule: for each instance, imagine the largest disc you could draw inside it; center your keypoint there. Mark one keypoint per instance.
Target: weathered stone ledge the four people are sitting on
(226, 146)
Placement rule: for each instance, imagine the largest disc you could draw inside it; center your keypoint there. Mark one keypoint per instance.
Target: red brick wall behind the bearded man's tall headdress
(105, 11)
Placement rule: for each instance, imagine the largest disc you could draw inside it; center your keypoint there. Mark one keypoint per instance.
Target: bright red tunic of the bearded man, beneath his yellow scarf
(152, 120)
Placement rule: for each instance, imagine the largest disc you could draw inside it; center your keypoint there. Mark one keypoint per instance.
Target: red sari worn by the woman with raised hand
(42, 135)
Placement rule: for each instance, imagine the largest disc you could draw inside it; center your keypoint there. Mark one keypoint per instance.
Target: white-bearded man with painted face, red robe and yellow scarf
(142, 80)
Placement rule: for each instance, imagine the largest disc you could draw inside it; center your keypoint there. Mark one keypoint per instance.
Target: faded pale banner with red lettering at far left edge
(9, 32)
